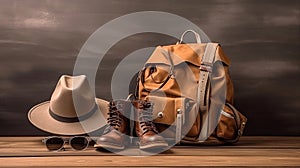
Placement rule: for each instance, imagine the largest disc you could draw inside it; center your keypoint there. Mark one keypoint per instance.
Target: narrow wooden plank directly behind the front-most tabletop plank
(173, 151)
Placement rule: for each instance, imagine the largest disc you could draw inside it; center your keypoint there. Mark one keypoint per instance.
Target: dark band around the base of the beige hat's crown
(73, 119)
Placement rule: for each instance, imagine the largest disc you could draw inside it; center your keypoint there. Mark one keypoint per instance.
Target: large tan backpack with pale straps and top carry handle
(192, 93)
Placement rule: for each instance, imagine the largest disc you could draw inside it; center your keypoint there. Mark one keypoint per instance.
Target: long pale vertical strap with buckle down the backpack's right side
(204, 87)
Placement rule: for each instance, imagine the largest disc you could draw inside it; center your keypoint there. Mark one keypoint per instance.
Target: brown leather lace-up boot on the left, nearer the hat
(116, 133)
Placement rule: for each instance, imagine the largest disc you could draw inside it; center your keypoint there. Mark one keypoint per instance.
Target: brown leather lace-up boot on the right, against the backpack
(145, 128)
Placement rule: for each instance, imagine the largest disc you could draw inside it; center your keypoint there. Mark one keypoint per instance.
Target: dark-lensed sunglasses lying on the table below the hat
(56, 143)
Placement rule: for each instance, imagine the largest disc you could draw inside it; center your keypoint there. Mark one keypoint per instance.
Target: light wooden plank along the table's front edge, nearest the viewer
(174, 161)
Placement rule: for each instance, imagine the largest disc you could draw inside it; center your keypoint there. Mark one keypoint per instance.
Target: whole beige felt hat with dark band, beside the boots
(72, 109)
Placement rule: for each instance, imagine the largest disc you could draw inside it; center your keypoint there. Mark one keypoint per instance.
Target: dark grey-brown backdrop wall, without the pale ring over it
(40, 39)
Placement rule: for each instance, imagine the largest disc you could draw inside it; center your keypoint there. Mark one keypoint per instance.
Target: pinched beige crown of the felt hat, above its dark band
(72, 97)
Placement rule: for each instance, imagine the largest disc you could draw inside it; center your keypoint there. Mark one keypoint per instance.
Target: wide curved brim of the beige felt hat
(40, 117)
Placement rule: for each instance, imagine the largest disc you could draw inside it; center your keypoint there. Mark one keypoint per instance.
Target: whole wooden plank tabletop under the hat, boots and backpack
(250, 151)
